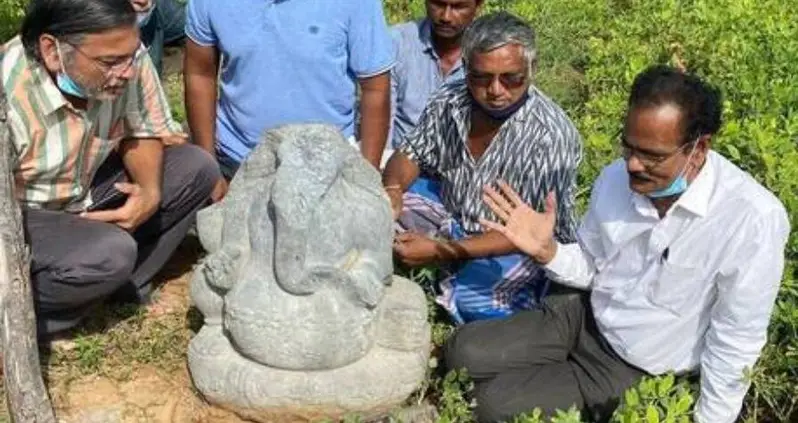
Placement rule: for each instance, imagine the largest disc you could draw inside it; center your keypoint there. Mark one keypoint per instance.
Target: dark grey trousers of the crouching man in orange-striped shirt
(77, 262)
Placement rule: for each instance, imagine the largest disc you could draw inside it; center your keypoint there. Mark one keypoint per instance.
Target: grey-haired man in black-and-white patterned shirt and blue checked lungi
(494, 125)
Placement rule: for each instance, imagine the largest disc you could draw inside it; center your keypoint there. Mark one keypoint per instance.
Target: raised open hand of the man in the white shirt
(529, 230)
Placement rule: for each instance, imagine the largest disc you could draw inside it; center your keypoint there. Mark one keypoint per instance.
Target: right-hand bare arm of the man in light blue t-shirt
(375, 113)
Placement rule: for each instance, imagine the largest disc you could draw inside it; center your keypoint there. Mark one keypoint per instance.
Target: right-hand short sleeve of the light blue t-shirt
(371, 50)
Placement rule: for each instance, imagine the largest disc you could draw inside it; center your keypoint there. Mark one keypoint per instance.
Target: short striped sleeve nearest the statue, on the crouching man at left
(147, 113)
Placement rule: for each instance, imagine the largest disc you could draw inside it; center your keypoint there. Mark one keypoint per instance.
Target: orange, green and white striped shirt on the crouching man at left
(58, 147)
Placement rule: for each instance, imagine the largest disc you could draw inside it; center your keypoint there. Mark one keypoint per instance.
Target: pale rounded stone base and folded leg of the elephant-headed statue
(392, 369)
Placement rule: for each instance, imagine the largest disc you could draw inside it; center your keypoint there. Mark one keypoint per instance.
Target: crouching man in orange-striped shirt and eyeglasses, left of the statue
(107, 186)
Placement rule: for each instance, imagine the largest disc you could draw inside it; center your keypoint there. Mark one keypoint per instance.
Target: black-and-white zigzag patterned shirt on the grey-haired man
(536, 150)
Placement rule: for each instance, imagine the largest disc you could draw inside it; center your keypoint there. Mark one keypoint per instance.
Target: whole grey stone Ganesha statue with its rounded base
(302, 313)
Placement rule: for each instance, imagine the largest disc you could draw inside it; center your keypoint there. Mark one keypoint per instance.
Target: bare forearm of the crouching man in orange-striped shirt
(143, 160)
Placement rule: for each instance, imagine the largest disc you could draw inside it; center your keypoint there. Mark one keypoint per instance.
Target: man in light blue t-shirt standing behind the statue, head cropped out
(285, 61)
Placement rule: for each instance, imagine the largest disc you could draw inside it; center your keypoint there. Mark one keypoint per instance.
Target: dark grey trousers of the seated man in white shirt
(550, 358)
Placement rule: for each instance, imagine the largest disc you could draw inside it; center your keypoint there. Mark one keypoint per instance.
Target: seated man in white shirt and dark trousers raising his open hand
(682, 253)
